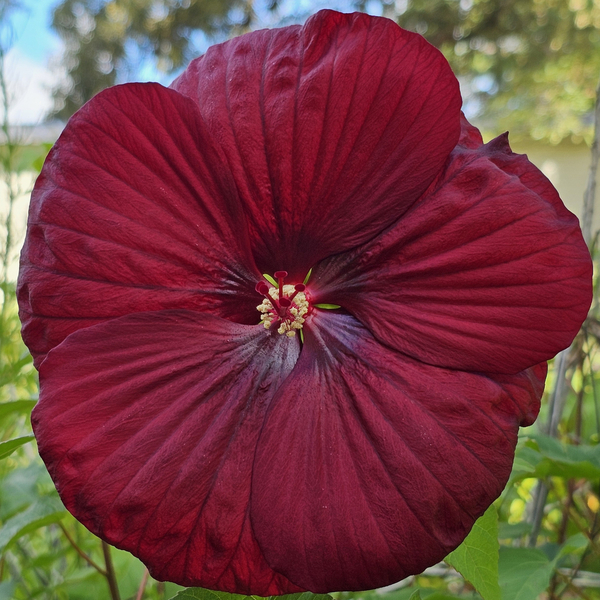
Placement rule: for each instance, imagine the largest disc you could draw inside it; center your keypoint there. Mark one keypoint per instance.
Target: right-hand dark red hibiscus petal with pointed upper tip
(487, 272)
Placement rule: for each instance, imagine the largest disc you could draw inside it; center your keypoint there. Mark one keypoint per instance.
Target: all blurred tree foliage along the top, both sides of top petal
(532, 65)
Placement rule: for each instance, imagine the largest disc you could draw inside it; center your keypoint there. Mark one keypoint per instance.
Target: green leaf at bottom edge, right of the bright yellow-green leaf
(524, 573)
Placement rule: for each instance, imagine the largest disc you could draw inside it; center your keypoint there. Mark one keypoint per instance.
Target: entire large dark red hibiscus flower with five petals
(294, 446)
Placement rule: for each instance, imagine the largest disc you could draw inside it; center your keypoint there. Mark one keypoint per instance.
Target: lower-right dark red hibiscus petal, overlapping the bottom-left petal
(372, 466)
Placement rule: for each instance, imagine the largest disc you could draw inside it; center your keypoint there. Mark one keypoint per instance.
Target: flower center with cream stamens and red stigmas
(284, 306)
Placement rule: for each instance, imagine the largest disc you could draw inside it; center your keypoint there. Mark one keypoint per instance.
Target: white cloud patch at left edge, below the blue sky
(29, 88)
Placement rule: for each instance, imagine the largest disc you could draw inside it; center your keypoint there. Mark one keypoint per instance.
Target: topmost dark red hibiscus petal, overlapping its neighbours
(332, 130)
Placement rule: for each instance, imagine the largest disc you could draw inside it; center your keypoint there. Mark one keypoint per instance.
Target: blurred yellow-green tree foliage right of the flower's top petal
(531, 66)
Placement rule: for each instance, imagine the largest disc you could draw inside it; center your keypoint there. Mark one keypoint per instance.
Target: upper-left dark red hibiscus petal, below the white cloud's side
(134, 210)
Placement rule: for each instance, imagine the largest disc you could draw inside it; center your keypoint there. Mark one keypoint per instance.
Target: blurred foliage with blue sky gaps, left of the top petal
(104, 39)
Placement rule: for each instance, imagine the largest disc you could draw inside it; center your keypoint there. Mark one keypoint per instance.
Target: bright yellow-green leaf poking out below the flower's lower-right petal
(476, 559)
